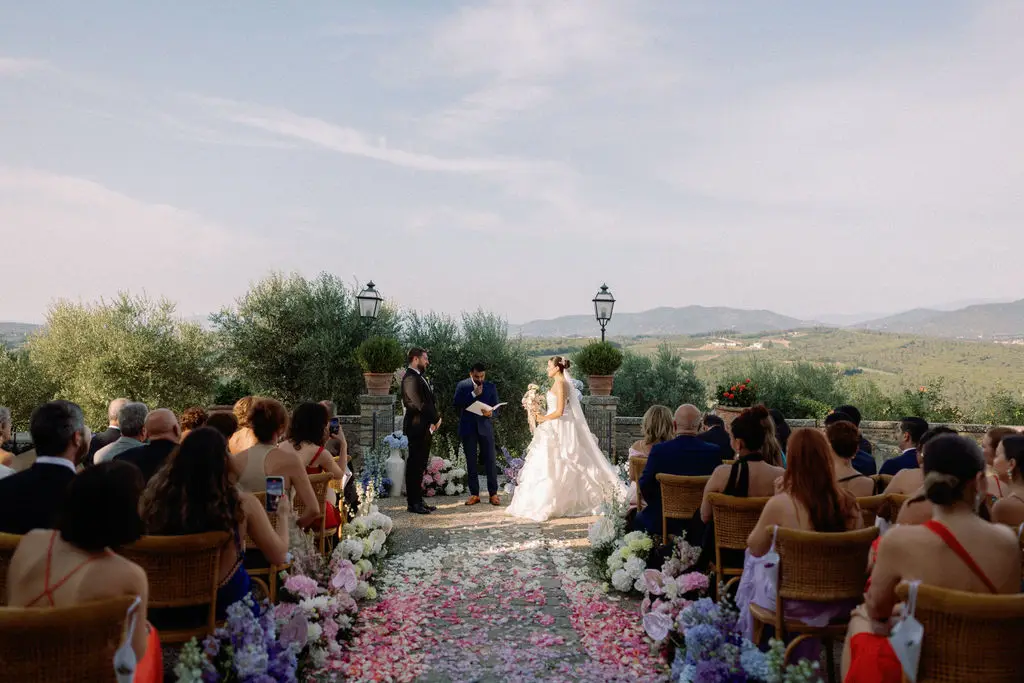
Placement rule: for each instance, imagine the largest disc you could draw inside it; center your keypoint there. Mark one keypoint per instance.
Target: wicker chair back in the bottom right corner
(969, 636)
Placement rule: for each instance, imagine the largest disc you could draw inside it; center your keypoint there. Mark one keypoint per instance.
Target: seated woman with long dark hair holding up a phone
(195, 495)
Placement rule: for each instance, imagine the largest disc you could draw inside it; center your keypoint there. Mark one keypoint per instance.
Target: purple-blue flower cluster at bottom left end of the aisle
(247, 650)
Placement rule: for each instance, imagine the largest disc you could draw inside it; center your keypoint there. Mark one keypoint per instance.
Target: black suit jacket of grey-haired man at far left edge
(30, 500)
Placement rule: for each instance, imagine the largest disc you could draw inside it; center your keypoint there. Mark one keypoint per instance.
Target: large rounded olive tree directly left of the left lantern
(294, 339)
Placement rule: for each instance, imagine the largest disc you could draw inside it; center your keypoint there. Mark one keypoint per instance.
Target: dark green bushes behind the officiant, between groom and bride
(454, 349)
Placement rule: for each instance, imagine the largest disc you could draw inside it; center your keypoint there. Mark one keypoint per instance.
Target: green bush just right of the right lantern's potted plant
(666, 380)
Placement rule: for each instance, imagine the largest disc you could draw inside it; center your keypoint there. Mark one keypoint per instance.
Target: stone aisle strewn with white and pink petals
(471, 594)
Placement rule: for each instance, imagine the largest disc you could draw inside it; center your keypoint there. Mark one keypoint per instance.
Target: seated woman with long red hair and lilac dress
(808, 499)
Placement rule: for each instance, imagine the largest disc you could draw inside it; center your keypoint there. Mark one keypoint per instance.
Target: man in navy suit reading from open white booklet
(478, 432)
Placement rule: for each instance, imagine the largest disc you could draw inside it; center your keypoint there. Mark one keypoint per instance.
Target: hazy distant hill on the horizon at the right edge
(991, 321)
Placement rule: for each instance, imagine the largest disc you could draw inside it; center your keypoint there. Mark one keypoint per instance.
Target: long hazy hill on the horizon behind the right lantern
(664, 322)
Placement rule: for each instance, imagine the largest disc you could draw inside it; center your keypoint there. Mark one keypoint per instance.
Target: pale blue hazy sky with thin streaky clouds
(804, 157)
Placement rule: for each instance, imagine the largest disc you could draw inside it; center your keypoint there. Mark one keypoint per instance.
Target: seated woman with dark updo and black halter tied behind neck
(750, 477)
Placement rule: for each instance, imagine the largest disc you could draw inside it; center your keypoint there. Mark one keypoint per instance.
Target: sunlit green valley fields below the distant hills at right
(971, 370)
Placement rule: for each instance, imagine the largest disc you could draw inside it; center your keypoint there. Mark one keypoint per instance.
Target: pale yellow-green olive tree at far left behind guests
(131, 348)
